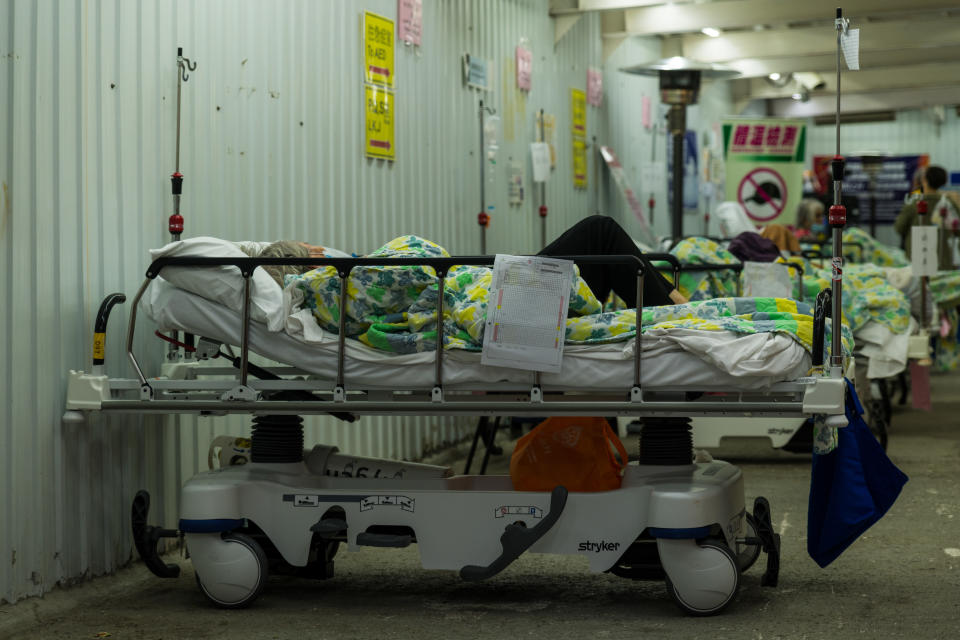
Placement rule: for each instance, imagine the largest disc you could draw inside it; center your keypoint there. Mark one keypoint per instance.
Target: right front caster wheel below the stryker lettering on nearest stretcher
(709, 583)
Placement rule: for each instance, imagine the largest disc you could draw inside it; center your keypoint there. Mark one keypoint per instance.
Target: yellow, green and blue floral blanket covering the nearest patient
(394, 308)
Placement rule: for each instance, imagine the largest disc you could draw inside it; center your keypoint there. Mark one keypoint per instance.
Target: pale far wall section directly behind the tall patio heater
(636, 145)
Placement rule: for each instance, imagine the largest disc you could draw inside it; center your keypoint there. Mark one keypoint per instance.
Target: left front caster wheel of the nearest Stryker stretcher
(235, 574)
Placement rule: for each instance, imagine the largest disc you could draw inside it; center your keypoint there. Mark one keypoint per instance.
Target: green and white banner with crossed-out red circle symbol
(764, 165)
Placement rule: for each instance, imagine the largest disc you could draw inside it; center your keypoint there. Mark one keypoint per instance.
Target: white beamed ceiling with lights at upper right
(909, 49)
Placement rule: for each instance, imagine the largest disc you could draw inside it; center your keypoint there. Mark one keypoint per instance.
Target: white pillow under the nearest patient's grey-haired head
(223, 284)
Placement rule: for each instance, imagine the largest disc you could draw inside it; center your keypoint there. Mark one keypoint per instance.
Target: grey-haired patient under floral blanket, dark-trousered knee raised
(394, 309)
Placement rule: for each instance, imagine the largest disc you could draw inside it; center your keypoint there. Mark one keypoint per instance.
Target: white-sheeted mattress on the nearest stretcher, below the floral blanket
(675, 359)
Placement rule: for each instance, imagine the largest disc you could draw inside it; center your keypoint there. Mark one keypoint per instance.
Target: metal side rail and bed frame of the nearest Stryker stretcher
(245, 394)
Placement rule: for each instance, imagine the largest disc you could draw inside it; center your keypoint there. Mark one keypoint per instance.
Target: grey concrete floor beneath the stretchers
(900, 580)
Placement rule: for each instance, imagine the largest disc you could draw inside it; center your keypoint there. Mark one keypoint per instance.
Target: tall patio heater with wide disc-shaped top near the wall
(679, 87)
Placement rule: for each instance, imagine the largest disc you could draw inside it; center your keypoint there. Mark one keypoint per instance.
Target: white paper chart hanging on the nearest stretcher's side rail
(527, 313)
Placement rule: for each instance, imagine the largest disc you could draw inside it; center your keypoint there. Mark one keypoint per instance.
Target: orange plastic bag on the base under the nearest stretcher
(573, 452)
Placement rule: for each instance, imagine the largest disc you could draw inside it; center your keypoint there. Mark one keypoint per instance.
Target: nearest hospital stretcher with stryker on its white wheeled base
(672, 518)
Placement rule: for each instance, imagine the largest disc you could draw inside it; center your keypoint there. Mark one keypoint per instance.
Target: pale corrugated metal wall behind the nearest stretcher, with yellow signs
(272, 148)
